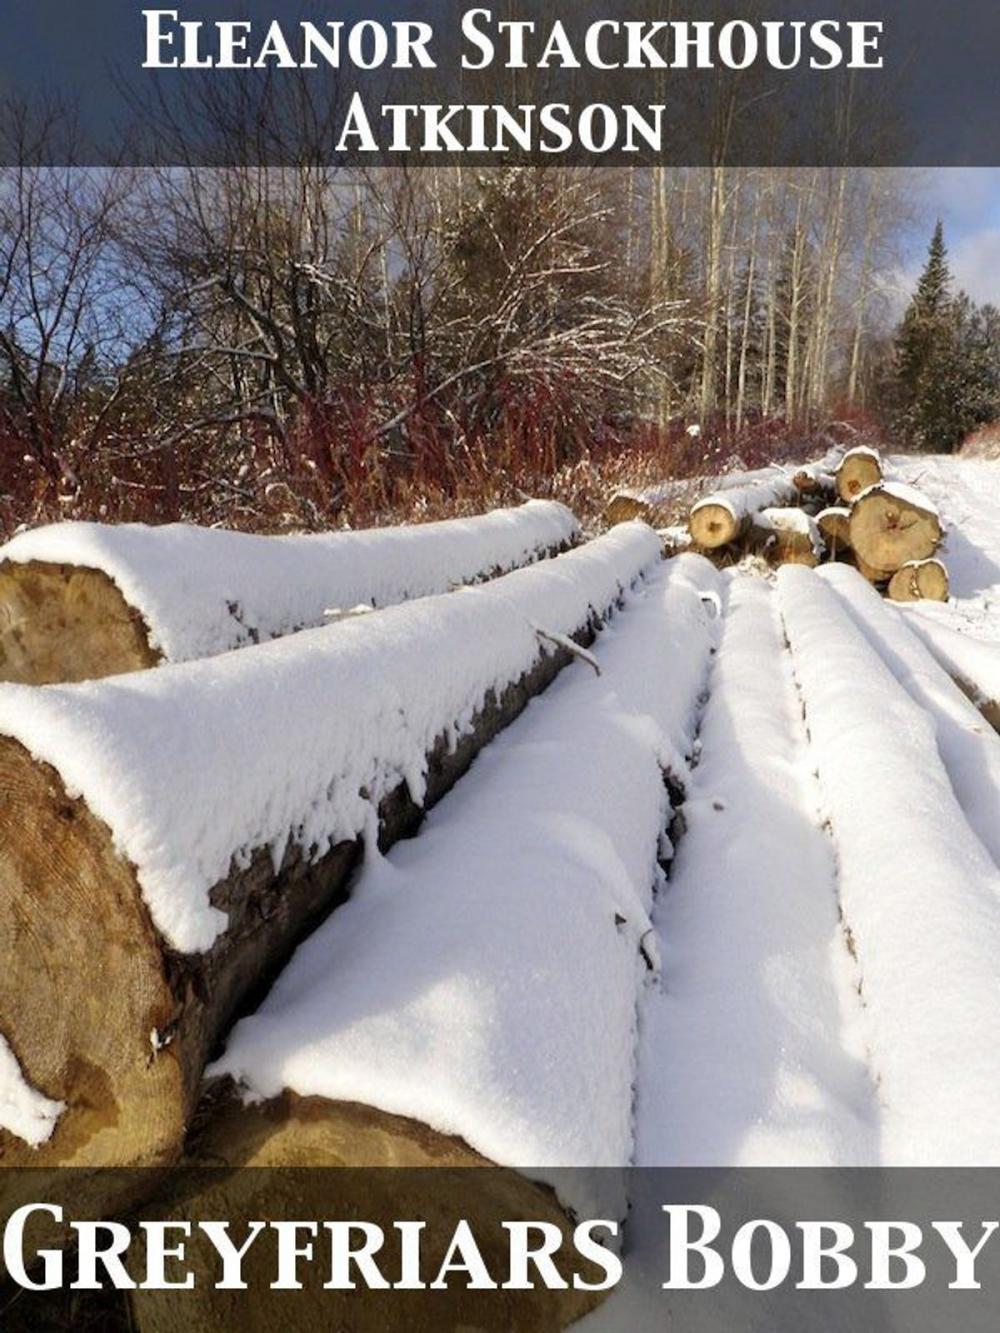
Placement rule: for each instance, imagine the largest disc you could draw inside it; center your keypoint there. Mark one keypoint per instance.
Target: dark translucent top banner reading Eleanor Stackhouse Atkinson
(211, 83)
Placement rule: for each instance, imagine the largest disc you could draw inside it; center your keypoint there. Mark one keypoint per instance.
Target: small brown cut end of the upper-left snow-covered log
(62, 623)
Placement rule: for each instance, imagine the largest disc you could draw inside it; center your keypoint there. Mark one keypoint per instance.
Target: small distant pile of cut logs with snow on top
(839, 509)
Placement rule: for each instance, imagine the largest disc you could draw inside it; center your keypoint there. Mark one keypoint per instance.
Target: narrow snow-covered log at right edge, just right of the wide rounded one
(970, 750)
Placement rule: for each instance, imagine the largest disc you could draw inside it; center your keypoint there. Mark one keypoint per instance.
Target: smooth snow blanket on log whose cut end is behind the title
(486, 986)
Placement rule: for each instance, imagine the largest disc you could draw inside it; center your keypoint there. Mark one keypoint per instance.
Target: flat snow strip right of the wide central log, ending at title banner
(746, 1048)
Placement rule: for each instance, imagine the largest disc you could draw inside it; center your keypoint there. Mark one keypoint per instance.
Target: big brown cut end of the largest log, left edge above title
(74, 931)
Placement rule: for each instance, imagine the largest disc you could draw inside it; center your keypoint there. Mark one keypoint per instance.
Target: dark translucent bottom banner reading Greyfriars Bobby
(434, 1250)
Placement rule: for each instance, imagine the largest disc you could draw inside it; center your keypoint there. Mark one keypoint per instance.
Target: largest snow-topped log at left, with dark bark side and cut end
(167, 838)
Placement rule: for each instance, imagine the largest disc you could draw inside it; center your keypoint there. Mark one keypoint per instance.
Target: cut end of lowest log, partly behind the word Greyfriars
(293, 1131)
